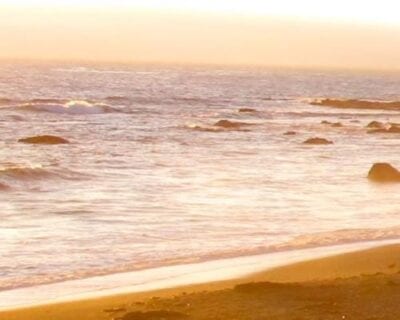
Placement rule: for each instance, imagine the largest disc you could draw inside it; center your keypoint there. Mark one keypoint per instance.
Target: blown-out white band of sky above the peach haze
(383, 11)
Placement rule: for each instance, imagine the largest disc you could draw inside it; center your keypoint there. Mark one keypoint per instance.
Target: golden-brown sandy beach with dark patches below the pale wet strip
(361, 285)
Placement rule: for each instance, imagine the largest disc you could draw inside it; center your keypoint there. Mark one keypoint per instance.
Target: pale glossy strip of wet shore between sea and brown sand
(171, 277)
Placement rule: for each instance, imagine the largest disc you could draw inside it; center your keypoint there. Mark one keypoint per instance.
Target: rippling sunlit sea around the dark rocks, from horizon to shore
(148, 180)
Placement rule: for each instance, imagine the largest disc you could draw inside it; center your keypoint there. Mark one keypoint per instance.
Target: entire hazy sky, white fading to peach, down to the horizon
(360, 34)
